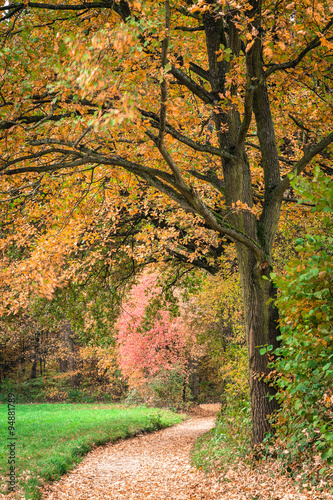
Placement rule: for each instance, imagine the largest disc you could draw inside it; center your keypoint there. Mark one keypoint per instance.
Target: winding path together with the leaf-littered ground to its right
(157, 467)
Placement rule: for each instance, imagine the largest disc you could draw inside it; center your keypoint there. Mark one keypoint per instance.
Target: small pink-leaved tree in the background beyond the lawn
(151, 339)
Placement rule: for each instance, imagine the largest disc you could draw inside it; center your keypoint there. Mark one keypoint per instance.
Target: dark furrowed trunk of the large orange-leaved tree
(261, 317)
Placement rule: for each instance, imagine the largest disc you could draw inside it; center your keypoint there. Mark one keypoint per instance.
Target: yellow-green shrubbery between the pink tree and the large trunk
(220, 326)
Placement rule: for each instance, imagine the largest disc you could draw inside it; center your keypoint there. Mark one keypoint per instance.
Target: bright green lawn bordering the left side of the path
(51, 438)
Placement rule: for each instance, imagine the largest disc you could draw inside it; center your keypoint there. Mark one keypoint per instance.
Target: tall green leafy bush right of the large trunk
(305, 359)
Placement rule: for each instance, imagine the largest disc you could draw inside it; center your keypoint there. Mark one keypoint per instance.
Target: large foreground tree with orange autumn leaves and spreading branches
(164, 97)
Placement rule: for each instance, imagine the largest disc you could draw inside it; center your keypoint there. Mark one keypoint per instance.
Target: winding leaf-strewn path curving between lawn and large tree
(153, 466)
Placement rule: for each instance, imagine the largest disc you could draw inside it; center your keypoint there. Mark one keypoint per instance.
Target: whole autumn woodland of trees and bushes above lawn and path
(166, 211)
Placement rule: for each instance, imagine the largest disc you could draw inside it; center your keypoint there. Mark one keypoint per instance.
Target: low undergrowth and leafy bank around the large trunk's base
(230, 444)
